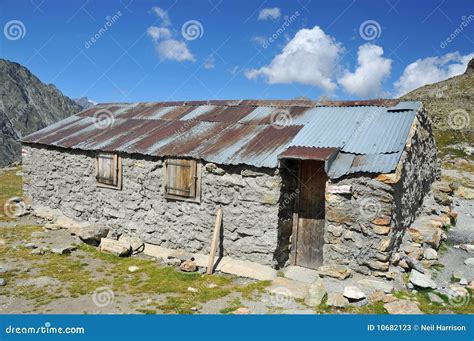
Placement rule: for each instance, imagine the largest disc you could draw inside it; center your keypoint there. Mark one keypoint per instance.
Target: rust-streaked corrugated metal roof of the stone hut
(370, 137)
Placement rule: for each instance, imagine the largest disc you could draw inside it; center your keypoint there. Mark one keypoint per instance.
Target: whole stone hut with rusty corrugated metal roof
(299, 182)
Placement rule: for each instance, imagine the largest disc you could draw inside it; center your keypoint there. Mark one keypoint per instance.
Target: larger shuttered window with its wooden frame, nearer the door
(182, 180)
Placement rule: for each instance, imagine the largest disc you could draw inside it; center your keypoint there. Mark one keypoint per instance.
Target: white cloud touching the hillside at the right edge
(431, 70)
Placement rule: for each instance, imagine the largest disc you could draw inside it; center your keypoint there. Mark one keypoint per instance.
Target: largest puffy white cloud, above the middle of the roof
(310, 58)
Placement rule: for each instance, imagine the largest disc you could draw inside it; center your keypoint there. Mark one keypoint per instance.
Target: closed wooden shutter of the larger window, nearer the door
(181, 178)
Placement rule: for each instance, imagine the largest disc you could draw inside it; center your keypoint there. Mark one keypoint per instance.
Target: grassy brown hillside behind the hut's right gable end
(451, 106)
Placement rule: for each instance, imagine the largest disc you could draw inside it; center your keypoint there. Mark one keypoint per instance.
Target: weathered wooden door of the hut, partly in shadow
(310, 214)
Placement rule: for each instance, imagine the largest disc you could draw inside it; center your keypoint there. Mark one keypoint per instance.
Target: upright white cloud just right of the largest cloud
(372, 69)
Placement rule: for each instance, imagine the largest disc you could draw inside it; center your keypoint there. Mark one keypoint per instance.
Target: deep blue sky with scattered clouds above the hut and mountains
(339, 49)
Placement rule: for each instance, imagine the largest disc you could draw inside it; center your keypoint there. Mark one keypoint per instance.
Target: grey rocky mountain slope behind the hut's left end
(26, 105)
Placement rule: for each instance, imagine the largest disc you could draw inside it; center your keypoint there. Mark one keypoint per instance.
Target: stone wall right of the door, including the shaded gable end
(365, 226)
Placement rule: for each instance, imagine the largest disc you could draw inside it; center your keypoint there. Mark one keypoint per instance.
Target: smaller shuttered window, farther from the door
(109, 171)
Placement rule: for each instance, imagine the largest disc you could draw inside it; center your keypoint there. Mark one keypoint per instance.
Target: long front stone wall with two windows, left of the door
(65, 180)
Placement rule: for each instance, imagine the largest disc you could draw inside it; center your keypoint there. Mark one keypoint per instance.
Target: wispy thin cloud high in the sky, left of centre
(166, 46)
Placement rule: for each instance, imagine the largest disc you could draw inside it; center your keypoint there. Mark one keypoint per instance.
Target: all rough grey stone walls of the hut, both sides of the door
(363, 226)
